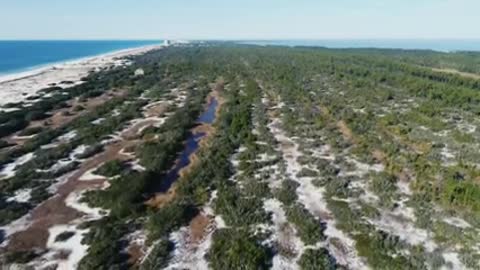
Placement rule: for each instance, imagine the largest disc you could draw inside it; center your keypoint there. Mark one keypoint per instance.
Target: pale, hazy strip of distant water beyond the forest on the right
(441, 45)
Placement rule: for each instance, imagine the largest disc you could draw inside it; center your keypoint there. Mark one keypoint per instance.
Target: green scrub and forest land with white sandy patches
(316, 159)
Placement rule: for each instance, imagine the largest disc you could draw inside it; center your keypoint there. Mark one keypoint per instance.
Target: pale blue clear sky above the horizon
(246, 19)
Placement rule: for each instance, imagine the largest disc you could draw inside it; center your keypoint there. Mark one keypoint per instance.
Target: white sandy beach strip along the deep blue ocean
(17, 87)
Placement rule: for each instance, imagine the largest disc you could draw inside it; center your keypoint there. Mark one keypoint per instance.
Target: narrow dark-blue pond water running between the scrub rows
(191, 146)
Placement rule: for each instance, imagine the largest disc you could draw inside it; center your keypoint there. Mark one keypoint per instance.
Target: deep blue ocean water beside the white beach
(18, 56)
